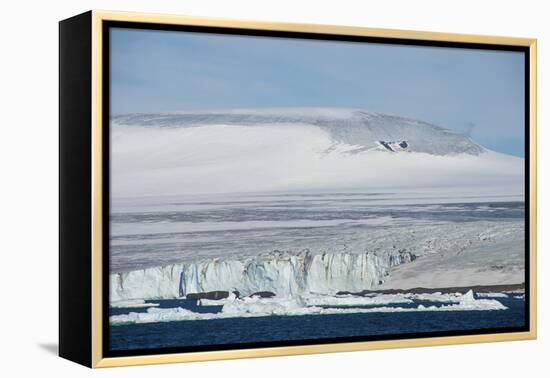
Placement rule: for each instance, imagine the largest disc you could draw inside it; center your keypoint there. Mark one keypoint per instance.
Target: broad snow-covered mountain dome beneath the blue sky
(296, 149)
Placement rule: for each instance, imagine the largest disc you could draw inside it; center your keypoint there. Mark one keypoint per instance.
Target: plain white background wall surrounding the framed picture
(28, 154)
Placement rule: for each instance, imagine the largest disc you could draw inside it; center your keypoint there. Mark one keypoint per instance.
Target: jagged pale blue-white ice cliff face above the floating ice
(282, 273)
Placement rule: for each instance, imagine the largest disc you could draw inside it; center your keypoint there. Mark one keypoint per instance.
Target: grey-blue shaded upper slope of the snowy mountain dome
(366, 130)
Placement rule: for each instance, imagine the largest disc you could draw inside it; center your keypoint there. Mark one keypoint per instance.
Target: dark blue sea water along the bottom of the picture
(308, 327)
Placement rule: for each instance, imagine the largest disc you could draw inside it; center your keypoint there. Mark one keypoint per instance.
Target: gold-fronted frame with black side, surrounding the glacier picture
(90, 268)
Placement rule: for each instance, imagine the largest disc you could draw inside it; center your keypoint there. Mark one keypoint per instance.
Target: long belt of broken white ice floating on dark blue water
(258, 307)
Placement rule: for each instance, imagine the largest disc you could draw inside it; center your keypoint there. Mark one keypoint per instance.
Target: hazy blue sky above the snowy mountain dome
(475, 92)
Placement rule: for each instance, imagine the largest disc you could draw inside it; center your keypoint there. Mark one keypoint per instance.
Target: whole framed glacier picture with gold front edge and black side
(235, 189)
